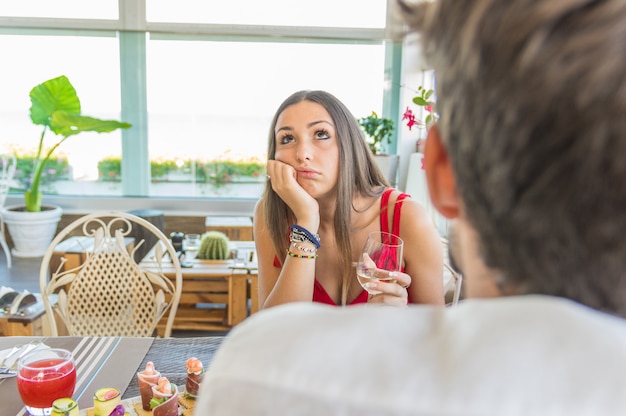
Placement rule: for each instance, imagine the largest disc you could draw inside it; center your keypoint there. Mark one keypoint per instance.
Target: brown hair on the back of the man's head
(532, 100)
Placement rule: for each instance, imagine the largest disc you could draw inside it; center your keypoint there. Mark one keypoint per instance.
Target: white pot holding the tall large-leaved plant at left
(31, 232)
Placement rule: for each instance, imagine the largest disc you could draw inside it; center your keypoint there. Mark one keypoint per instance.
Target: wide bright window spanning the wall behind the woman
(212, 77)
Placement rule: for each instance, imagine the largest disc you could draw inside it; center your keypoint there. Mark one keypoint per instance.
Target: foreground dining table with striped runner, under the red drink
(113, 362)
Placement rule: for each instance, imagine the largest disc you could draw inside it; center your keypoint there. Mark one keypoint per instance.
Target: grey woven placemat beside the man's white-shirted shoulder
(169, 356)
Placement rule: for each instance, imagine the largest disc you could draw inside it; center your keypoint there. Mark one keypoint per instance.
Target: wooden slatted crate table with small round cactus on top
(215, 293)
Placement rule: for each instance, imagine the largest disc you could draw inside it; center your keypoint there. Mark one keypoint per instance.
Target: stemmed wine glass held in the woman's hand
(381, 254)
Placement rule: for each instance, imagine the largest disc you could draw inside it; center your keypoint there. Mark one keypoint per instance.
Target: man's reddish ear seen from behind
(440, 176)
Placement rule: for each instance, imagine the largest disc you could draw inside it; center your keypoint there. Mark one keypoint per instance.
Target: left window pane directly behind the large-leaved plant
(92, 65)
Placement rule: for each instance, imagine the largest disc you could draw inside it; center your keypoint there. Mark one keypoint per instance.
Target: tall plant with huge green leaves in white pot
(56, 106)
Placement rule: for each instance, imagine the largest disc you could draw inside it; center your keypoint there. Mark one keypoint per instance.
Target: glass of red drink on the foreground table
(43, 376)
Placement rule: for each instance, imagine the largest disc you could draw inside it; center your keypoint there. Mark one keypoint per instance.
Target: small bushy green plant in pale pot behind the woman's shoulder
(379, 131)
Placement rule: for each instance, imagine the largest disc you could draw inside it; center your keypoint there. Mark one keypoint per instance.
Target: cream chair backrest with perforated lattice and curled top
(107, 293)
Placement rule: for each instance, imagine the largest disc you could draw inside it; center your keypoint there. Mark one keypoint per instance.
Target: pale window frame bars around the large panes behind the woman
(133, 32)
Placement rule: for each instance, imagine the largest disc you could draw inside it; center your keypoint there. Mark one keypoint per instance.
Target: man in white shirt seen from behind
(529, 160)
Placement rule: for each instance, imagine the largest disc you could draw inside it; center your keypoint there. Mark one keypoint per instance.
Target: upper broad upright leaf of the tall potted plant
(54, 95)
